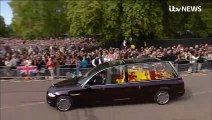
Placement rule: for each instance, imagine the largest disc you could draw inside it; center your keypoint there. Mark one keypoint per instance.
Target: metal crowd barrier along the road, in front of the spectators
(62, 72)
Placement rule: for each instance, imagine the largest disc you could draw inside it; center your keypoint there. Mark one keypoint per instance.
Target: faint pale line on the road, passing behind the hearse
(37, 103)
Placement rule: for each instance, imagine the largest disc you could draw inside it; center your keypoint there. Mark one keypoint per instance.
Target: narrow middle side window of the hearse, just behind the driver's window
(117, 74)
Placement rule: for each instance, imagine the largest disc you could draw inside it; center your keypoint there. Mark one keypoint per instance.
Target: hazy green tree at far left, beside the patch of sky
(41, 18)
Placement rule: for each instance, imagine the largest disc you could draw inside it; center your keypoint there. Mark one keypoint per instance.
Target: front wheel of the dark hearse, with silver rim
(63, 103)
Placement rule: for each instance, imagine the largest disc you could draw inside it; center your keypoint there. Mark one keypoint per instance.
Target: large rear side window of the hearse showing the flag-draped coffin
(150, 71)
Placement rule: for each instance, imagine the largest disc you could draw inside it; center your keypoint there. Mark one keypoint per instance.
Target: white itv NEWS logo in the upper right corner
(185, 9)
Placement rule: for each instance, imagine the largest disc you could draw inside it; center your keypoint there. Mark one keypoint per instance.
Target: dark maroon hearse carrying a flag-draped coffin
(146, 78)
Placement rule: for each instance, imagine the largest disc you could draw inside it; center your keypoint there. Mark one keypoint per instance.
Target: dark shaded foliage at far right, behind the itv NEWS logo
(177, 24)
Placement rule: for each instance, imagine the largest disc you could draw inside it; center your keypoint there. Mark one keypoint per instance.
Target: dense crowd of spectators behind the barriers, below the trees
(77, 53)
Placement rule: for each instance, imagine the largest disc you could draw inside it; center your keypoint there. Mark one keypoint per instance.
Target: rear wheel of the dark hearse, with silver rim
(162, 97)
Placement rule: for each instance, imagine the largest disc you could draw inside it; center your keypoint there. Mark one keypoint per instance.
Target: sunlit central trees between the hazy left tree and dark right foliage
(113, 20)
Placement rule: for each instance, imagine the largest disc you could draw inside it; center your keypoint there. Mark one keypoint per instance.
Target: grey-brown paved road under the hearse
(26, 101)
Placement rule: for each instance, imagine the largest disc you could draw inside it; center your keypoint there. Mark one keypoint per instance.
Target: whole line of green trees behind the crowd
(110, 20)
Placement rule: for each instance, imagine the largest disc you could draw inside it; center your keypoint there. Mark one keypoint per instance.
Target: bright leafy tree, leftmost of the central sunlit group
(84, 17)
